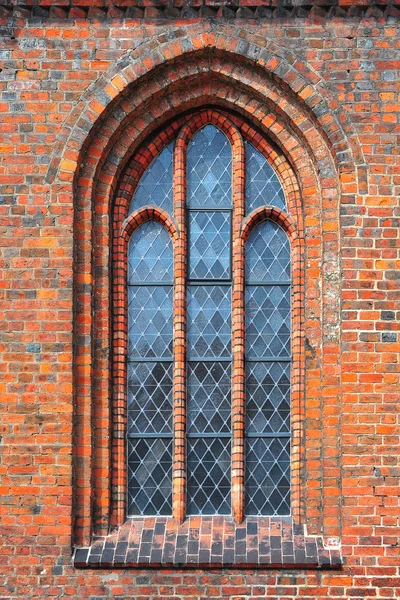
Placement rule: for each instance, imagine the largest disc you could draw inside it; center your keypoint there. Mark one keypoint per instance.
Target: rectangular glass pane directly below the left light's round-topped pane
(150, 321)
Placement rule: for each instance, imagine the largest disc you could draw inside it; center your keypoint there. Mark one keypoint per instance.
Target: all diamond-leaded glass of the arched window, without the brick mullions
(208, 337)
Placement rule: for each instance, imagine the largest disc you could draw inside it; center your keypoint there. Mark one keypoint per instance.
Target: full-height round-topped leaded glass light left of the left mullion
(149, 379)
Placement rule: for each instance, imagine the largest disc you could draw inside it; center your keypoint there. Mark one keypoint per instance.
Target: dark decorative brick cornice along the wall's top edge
(195, 9)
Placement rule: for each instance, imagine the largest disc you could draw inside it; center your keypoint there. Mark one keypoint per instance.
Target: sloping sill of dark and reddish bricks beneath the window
(258, 542)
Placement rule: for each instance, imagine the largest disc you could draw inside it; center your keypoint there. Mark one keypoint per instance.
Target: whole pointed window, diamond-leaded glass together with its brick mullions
(206, 329)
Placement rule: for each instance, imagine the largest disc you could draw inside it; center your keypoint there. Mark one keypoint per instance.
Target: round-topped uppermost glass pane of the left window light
(150, 254)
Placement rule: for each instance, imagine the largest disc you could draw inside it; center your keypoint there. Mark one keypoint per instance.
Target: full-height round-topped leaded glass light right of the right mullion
(268, 325)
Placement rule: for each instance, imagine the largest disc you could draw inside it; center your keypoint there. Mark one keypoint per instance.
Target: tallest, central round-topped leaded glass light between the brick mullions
(209, 199)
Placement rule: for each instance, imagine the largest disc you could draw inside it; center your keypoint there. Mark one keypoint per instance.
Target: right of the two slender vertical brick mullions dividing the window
(238, 332)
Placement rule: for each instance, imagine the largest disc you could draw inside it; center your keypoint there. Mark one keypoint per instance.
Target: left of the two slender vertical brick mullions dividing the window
(179, 334)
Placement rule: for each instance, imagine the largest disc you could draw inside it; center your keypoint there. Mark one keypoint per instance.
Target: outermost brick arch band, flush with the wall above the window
(96, 102)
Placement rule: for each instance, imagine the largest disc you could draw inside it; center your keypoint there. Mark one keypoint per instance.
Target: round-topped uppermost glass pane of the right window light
(267, 254)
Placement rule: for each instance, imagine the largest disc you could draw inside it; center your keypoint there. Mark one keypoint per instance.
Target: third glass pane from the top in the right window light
(267, 397)
